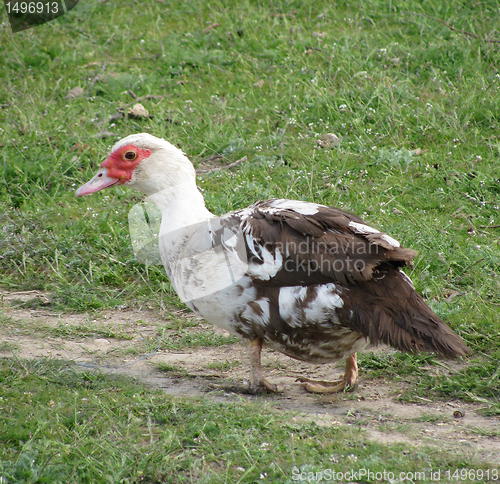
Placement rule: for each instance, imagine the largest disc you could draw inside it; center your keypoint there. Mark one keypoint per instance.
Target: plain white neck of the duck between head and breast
(181, 206)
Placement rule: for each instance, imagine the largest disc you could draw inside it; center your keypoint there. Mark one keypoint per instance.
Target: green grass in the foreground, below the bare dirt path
(62, 425)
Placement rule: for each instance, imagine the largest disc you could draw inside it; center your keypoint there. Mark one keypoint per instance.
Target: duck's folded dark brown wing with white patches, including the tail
(292, 243)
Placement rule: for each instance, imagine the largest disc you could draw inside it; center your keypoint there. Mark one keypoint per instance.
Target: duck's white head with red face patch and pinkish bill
(142, 162)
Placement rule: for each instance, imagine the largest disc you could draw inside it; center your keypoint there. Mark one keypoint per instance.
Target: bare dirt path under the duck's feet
(220, 374)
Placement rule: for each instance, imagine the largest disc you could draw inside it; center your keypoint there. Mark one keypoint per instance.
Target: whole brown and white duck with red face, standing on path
(314, 282)
